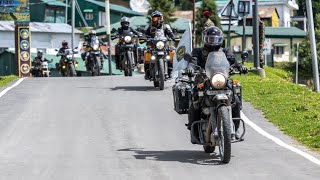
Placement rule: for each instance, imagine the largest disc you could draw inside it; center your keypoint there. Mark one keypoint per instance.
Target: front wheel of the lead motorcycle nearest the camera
(224, 131)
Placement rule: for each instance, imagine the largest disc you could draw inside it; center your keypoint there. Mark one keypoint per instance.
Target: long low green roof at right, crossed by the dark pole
(270, 32)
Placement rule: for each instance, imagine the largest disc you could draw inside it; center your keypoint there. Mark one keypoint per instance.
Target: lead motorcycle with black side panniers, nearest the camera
(215, 93)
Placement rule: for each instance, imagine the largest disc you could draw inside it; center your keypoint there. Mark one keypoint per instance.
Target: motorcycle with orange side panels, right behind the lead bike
(158, 55)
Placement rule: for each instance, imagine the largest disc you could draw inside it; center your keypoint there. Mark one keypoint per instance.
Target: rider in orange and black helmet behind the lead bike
(157, 22)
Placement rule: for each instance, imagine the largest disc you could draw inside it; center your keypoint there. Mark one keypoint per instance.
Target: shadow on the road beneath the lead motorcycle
(182, 156)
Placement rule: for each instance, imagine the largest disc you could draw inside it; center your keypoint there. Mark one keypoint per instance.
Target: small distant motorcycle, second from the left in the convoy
(67, 65)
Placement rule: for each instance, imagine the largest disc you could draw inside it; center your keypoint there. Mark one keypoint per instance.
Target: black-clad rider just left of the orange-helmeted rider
(124, 29)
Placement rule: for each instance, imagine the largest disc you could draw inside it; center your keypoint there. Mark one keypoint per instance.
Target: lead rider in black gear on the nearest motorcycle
(212, 40)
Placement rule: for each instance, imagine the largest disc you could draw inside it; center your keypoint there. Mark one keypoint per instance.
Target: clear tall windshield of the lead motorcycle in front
(217, 63)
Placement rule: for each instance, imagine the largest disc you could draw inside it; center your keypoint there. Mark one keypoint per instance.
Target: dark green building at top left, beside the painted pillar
(49, 11)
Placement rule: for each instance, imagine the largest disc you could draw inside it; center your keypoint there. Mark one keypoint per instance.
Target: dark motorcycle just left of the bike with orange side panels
(127, 45)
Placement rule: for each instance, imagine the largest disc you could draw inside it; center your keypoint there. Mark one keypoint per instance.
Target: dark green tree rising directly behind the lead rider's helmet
(207, 5)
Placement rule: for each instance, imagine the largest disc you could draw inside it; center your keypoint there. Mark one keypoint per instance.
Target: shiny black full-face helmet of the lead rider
(212, 38)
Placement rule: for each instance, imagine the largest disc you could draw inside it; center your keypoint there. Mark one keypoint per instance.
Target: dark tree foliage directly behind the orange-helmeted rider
(166, 7)
